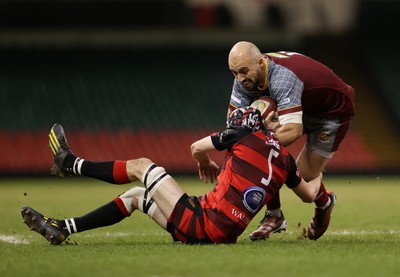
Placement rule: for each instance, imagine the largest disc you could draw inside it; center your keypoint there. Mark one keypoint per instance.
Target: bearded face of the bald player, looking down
(247, 74)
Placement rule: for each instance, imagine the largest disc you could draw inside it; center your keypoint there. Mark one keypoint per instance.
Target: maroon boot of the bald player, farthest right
(321, 219)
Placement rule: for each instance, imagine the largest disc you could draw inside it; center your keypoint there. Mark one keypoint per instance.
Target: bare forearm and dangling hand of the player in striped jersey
(206, 166)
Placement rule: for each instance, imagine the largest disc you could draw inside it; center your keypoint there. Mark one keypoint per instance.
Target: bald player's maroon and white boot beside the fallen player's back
(269, 225)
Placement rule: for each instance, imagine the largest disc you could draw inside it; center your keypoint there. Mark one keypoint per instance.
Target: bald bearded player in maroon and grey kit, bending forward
(311, 100)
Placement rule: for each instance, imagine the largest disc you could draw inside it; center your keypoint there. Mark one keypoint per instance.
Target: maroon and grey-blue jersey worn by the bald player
(300, 83)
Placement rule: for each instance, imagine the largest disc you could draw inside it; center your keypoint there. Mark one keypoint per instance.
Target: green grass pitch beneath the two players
(363, 239)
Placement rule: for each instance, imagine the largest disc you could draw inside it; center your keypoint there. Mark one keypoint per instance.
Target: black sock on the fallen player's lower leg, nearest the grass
(106, 215)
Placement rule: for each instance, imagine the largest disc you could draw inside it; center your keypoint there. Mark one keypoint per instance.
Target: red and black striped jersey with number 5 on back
(255, 168)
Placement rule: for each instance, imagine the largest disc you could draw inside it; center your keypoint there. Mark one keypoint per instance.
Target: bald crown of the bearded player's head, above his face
(244, 52)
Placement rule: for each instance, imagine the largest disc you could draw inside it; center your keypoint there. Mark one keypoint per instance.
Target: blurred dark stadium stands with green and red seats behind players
(148, 77)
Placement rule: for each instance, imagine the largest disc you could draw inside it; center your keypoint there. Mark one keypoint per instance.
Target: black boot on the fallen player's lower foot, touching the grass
(49, 228)
